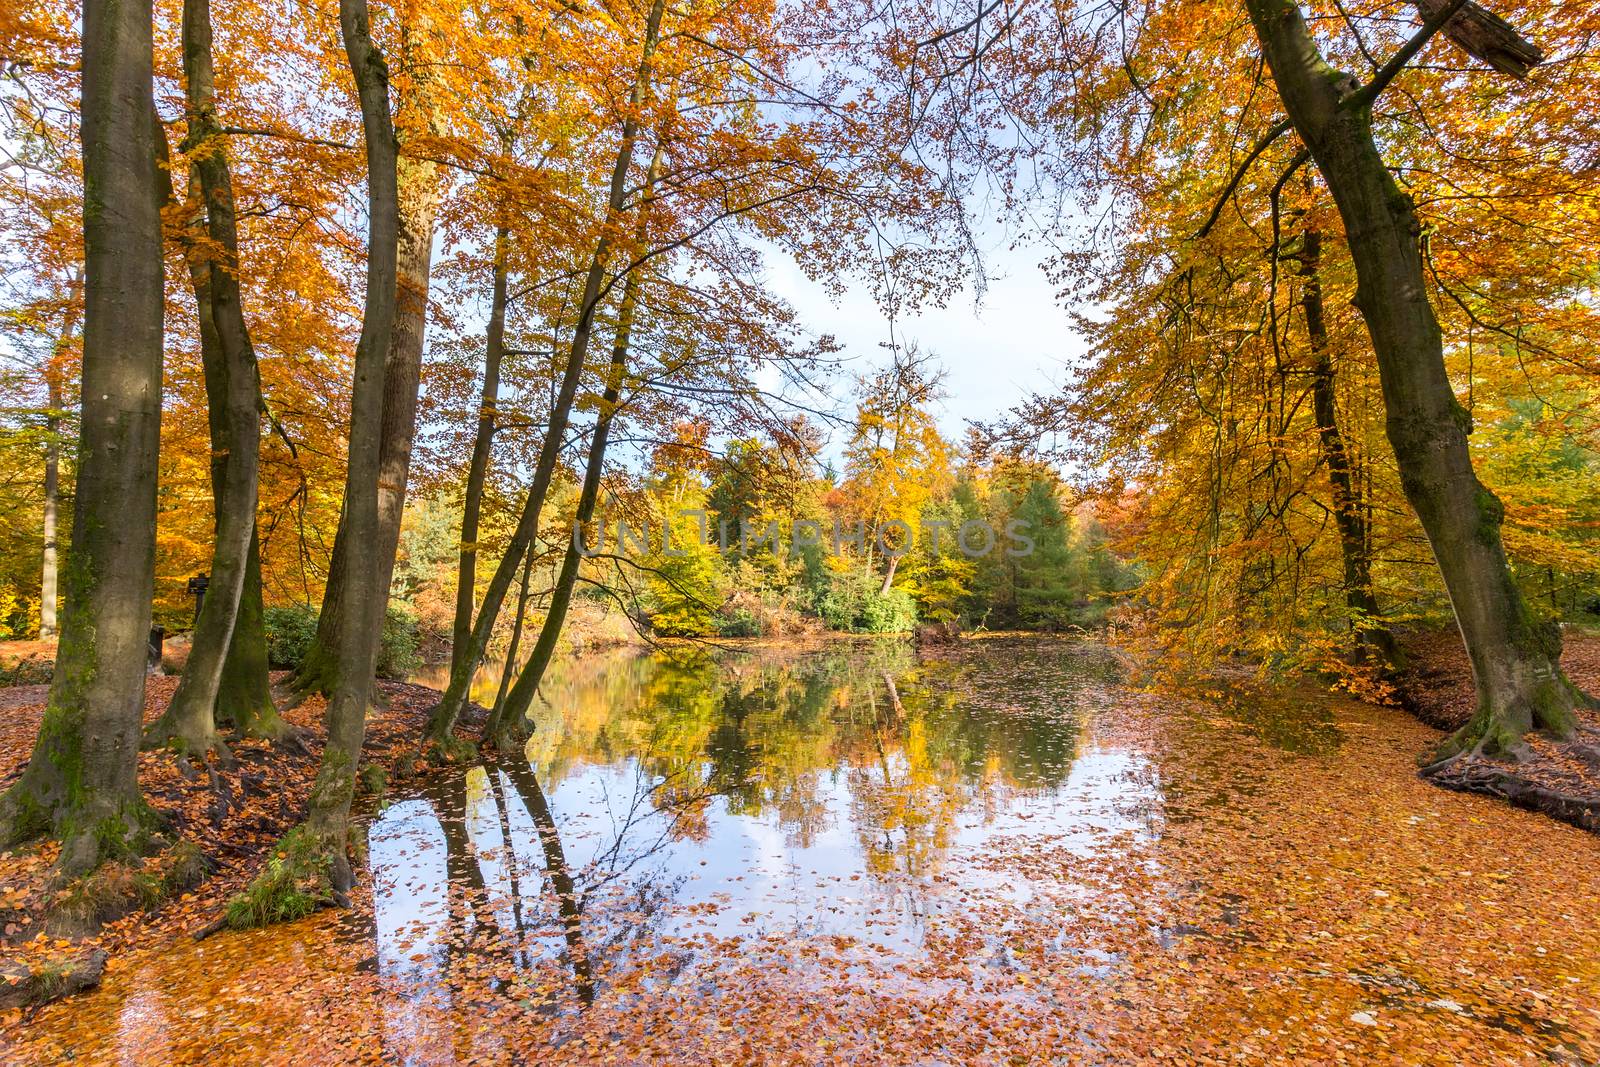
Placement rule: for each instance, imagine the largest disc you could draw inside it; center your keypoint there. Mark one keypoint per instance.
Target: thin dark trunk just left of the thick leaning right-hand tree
(1350, 513)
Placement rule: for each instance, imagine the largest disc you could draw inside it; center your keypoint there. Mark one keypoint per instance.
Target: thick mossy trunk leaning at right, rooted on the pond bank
(1516, 658)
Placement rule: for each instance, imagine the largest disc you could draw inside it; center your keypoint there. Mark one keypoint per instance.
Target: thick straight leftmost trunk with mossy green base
(82, 778)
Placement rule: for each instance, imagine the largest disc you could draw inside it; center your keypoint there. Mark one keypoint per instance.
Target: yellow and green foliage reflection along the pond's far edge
(769, 733)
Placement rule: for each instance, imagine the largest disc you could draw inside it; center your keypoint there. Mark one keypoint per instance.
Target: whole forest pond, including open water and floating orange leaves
(1001, 850)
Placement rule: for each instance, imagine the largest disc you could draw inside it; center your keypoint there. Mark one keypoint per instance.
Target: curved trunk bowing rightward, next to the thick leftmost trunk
(233, 391)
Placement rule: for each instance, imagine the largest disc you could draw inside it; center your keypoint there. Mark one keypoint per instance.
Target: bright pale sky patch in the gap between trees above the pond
(1018, 340)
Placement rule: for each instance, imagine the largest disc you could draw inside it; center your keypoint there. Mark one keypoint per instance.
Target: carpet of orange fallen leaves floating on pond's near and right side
(1298, 893)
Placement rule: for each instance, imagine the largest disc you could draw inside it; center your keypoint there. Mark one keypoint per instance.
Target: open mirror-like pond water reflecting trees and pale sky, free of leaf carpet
(676, 810)
